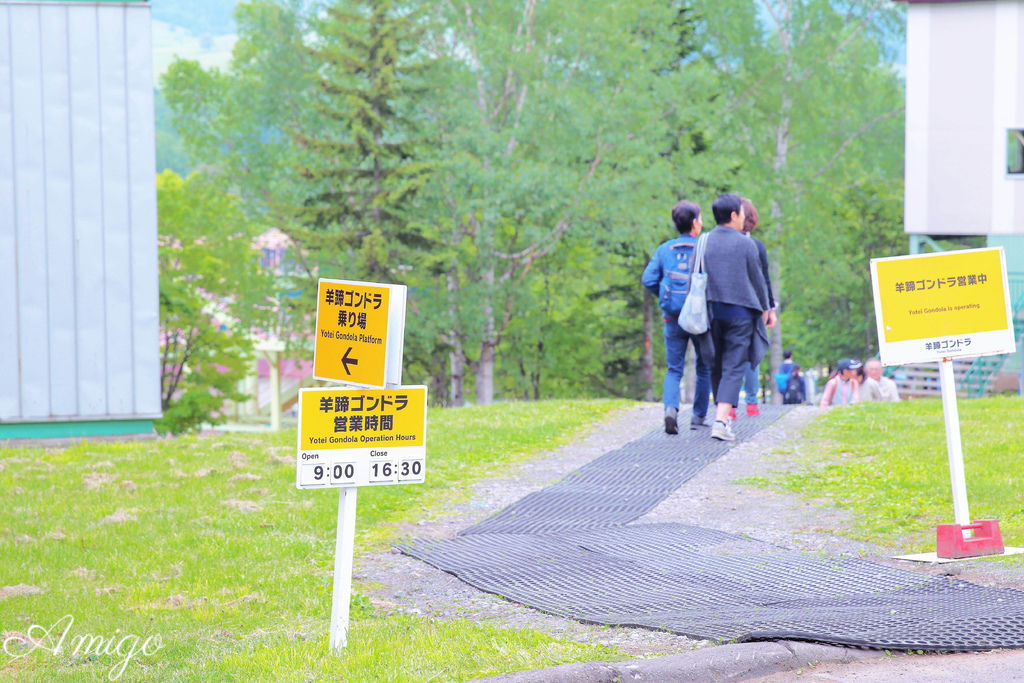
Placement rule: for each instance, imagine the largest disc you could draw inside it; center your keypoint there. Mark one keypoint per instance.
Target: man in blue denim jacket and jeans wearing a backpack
(668, 278)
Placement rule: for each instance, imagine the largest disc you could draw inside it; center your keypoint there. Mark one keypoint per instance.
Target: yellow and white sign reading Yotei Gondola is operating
(943, 306)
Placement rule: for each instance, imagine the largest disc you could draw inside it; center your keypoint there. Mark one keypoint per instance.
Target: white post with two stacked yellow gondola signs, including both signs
(373, 434)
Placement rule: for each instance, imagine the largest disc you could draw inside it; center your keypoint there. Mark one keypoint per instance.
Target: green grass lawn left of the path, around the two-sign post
(206, 544)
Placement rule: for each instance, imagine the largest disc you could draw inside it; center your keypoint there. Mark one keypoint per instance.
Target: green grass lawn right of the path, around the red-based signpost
(887, 464)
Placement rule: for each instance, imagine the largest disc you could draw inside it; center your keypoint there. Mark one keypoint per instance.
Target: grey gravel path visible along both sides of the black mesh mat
(712, 499)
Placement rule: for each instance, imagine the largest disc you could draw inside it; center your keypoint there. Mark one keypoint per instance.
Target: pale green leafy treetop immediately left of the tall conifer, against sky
(238, 125)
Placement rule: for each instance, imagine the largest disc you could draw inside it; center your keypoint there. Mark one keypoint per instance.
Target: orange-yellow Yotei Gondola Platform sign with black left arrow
(354, 324)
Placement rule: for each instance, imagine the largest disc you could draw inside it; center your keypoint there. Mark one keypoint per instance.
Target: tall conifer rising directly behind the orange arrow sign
(362, 170)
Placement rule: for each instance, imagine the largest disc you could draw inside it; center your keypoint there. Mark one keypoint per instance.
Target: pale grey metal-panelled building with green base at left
(79, 308)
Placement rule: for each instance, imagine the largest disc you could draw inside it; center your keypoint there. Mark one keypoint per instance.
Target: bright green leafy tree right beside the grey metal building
(214, 300)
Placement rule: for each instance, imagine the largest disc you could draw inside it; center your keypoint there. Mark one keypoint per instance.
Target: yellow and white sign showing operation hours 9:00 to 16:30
(356, 438)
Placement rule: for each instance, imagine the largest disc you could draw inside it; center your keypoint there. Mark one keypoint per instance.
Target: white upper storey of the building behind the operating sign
(965, 118)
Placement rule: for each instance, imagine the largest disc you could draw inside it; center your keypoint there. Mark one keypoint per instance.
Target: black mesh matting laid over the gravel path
(569, 550)
